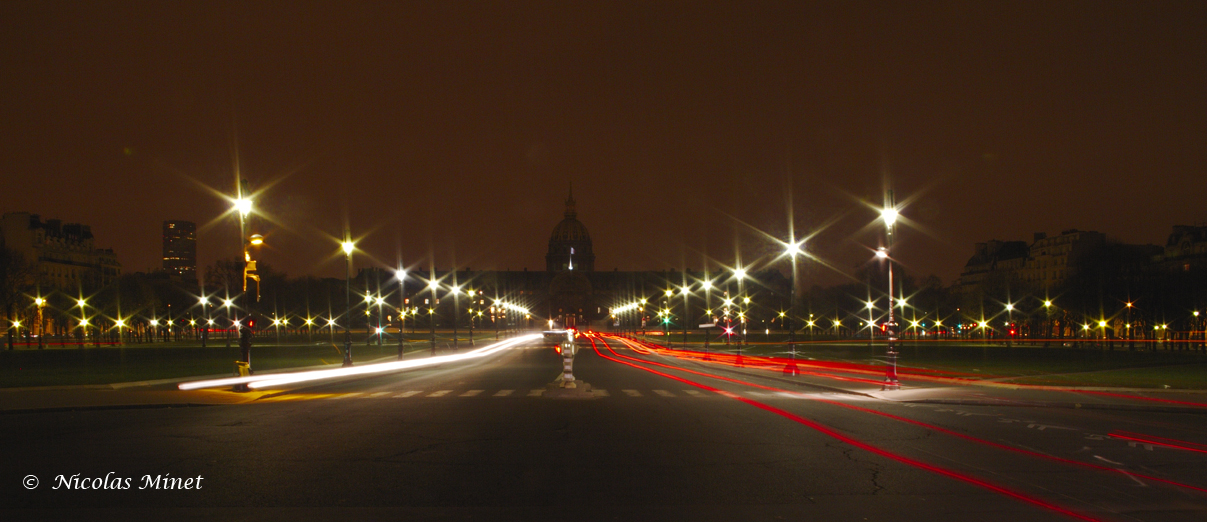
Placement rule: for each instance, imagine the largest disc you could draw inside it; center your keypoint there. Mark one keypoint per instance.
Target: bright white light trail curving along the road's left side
(289, 379)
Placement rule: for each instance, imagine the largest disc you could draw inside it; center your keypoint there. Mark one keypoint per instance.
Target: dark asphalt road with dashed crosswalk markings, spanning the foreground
(483, 440)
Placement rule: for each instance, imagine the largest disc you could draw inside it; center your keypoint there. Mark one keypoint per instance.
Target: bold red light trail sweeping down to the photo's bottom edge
(858, 444)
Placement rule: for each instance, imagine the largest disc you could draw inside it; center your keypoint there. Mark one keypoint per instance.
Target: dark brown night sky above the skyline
(452, 130)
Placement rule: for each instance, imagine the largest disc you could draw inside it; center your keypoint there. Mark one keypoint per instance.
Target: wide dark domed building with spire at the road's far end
(569, 292)
